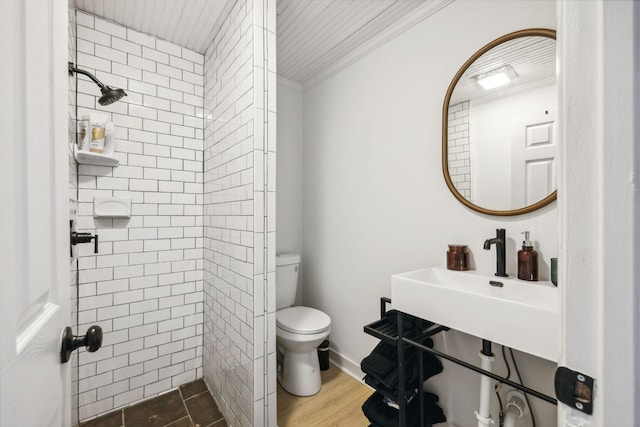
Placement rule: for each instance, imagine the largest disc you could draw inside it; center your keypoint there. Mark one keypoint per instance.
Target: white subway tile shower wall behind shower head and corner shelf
(145, 287)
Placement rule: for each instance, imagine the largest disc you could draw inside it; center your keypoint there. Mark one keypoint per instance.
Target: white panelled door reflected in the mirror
(533, 158)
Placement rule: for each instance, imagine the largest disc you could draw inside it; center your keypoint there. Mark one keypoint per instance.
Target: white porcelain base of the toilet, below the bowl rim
(300, 373)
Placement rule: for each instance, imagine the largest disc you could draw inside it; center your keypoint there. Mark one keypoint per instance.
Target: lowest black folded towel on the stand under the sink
(380, 414)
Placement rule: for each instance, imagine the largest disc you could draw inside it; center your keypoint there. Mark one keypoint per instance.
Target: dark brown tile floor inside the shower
(189, 406)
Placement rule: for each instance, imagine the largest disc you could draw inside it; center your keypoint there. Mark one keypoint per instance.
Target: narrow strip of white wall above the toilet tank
(290, 177)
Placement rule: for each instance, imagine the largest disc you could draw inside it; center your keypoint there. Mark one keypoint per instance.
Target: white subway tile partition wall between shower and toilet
(239, 245)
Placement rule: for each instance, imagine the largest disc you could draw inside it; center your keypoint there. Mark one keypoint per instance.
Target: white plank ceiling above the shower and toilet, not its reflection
(312, 35)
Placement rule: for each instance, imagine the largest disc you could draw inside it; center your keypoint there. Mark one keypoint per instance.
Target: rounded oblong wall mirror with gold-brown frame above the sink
(499, 117)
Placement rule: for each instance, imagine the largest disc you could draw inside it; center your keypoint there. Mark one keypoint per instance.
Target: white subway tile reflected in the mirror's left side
(459, 149)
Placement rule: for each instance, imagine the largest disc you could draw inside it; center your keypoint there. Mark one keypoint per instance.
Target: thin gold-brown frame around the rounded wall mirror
(535, 32)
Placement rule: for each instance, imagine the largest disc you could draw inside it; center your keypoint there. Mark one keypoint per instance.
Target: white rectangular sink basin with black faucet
(519, 314)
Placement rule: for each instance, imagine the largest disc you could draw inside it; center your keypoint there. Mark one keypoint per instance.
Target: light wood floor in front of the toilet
(338, 404)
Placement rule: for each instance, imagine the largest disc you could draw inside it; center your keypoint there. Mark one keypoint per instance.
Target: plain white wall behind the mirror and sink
(375, 201)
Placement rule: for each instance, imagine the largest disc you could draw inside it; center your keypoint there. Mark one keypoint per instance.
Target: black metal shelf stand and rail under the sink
(394, 334)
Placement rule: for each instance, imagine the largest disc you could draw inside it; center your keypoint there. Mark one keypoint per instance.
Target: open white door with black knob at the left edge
(34, 302)
